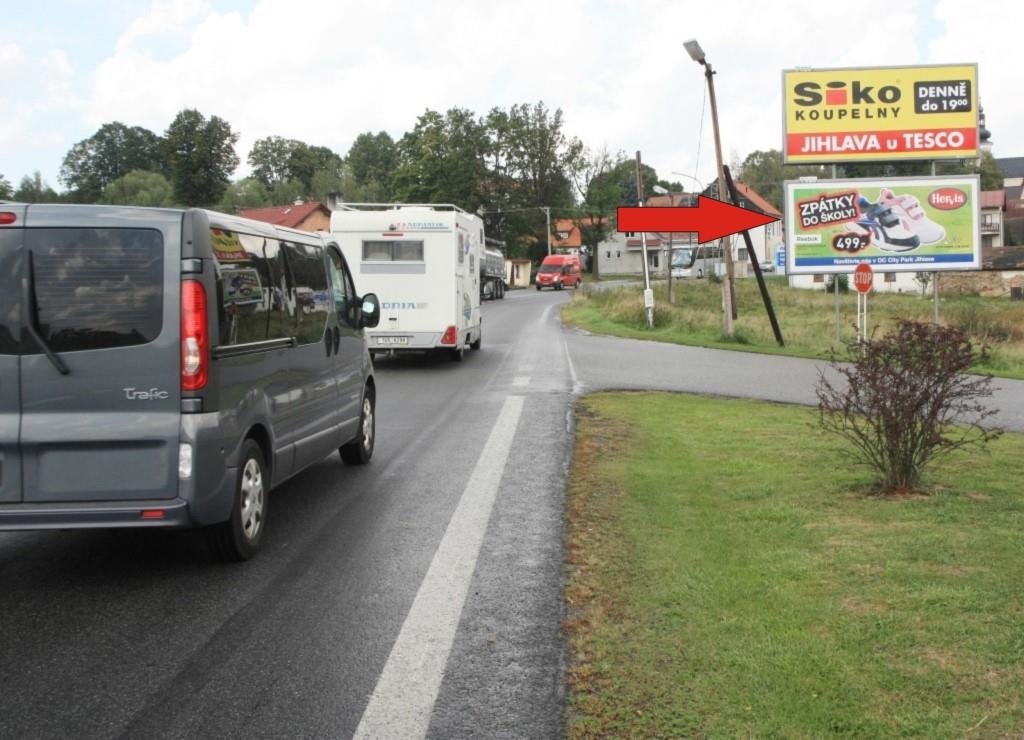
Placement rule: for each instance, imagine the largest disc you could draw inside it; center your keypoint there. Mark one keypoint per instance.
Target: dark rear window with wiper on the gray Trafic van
(98, 288)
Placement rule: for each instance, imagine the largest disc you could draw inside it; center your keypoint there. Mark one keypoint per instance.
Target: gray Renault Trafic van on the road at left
(167, 368)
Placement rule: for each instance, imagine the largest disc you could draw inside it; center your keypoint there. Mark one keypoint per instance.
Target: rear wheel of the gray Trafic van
(239, 539)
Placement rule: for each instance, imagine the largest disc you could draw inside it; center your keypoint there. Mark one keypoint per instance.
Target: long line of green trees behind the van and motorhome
(504, 165)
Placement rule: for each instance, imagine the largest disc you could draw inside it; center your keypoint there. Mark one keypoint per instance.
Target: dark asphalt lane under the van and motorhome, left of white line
(140, 634)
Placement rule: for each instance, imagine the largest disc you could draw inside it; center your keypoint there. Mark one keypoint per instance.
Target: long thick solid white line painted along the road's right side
(402, 705)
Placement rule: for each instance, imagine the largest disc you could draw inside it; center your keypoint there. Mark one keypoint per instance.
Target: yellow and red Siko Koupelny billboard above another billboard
(880, 114)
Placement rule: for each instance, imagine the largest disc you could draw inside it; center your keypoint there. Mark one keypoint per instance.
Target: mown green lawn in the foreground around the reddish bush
(729, 578)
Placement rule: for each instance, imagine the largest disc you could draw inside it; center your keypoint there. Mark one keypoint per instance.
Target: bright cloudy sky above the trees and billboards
(325, 72)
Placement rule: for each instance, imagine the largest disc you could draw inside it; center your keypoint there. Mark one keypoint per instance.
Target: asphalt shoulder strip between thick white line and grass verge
(506, 674)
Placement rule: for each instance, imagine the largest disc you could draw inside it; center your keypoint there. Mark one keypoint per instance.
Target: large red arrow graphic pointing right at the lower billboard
(711, 220)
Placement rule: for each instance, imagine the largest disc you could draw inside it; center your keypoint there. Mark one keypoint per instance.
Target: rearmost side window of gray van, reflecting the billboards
(250, 299)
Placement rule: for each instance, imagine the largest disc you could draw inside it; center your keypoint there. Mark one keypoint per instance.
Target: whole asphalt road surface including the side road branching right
(418, 596)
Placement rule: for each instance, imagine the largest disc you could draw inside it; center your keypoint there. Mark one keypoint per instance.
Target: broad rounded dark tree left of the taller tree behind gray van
(113, 152)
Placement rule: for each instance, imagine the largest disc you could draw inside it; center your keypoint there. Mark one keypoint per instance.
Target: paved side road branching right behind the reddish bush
(613, 364)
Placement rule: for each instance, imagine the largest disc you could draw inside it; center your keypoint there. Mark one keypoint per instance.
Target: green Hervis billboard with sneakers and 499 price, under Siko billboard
(898, 225)
